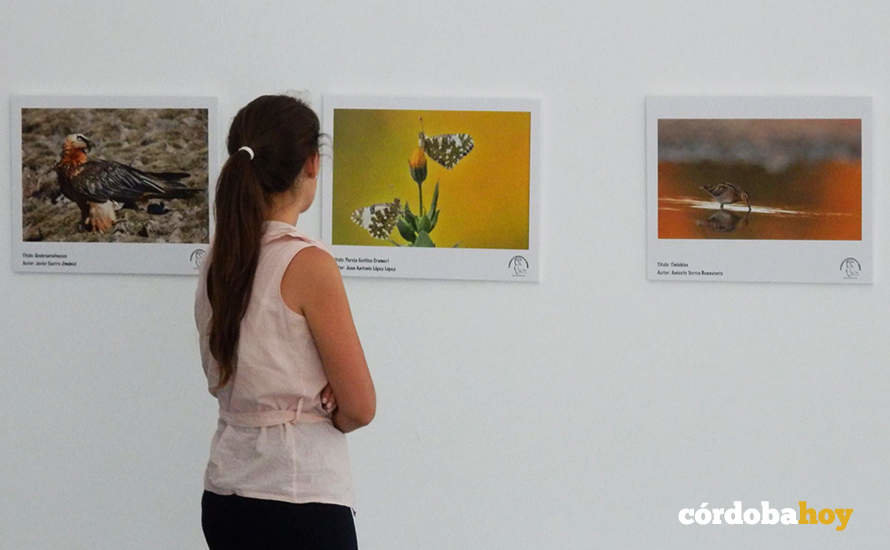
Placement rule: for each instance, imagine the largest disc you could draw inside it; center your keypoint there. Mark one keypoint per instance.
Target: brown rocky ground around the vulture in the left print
(153, 140)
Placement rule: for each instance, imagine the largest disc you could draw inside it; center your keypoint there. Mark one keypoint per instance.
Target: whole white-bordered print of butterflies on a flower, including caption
(433, 188)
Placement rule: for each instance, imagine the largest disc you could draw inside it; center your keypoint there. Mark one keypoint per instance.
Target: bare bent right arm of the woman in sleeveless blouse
(313, 287)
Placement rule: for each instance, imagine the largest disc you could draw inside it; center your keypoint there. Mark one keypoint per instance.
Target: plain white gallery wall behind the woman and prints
(582, 412)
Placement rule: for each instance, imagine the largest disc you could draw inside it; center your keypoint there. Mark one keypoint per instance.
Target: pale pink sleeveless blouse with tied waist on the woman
(273, 438)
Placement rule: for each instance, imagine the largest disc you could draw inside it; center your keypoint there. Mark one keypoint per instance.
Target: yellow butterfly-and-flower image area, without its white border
(389, 166)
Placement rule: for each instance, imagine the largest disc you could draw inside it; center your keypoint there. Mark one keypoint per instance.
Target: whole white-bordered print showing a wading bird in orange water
(771, 189)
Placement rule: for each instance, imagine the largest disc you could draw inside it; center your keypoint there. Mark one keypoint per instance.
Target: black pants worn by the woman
(234, 522)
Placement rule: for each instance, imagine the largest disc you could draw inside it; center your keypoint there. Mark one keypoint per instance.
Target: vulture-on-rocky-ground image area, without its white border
(115, 175)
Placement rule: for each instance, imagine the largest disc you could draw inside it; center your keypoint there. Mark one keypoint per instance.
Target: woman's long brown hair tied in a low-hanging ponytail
(283, 133)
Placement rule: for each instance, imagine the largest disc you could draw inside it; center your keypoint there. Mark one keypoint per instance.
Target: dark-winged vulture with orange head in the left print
(94, 184)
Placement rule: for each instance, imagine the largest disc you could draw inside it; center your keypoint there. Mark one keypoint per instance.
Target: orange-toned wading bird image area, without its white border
(783, 179)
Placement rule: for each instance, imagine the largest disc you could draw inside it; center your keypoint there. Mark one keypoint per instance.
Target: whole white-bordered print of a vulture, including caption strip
(111, 184)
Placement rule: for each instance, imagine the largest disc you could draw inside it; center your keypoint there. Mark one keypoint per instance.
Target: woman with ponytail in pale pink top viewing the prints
(278, 346)
